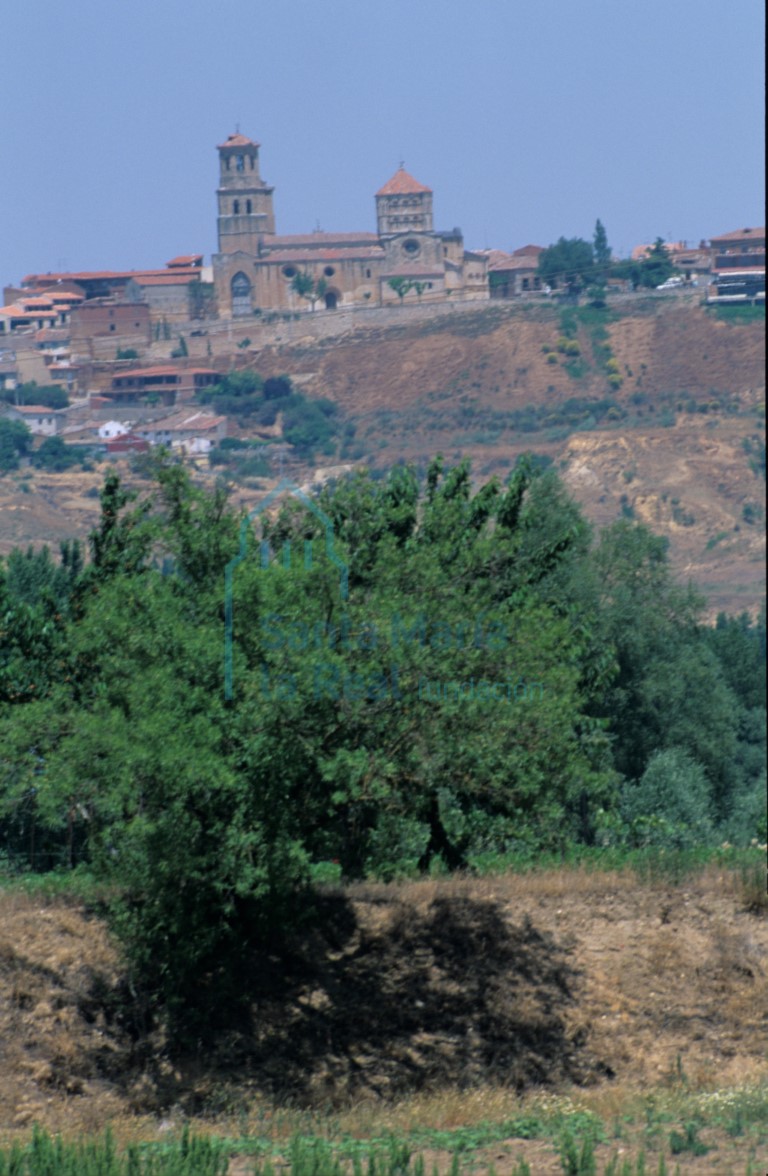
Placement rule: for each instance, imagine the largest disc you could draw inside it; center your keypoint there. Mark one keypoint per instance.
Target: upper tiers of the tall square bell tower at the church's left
(245, 201)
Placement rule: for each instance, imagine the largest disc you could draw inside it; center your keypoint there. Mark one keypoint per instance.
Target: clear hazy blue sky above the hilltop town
(529, 119)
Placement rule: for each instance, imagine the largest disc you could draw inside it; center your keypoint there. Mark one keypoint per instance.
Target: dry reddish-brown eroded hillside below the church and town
(652, 410)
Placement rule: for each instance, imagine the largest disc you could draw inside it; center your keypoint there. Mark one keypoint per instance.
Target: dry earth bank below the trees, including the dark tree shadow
(553, 980)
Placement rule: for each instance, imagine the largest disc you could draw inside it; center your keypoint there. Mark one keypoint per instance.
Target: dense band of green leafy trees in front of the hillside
(473, 690)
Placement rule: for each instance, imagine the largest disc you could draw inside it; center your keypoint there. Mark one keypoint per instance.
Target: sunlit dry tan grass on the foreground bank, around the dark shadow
(671, 990)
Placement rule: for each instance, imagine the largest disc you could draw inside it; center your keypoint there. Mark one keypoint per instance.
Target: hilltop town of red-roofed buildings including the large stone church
(132, 351)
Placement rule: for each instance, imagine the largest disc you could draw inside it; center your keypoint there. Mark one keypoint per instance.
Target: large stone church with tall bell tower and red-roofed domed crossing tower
(256, 268)
